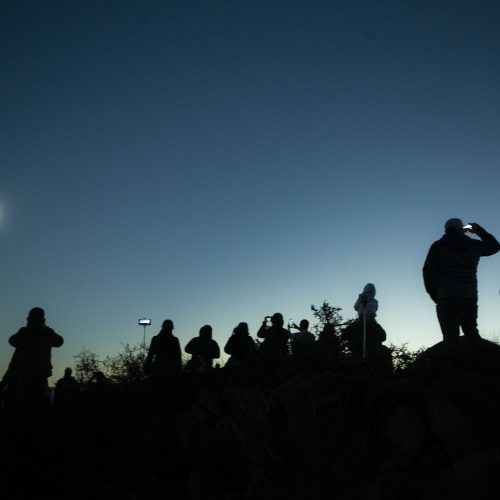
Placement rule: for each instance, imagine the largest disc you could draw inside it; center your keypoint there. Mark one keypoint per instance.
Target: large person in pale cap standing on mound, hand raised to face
(450, 277)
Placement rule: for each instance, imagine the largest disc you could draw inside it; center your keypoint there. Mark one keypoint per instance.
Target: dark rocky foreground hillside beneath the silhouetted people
(429, 433)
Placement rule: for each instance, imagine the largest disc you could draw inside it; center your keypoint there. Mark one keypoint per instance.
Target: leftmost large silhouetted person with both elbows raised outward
(31, 364)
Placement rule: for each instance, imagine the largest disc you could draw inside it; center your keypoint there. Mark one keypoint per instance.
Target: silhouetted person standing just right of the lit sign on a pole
(164, 359)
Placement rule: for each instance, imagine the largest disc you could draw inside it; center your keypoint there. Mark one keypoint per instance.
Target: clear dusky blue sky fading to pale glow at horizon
(217, 161)
